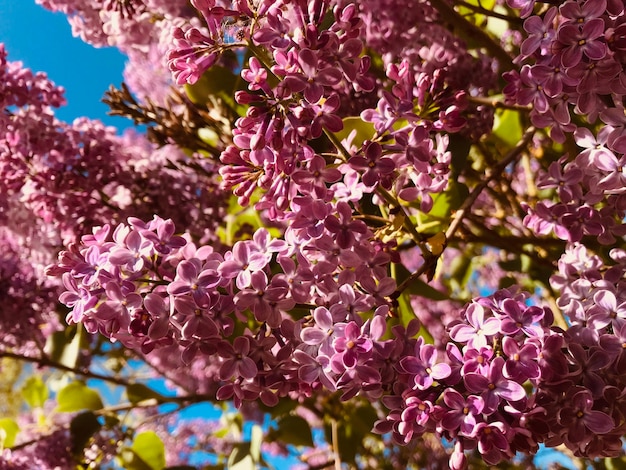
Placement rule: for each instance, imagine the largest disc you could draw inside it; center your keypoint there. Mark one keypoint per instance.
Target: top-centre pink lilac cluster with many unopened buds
(296, 80)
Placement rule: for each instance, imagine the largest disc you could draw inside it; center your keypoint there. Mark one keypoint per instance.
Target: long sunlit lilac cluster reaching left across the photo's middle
(149, 288)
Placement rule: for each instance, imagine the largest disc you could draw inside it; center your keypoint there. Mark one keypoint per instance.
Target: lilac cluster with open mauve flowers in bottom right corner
(510, 383)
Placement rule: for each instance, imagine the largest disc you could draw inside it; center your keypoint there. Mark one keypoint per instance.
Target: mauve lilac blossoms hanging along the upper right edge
(573, 64)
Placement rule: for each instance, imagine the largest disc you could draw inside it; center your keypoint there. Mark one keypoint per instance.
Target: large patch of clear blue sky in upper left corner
(43, 42)
